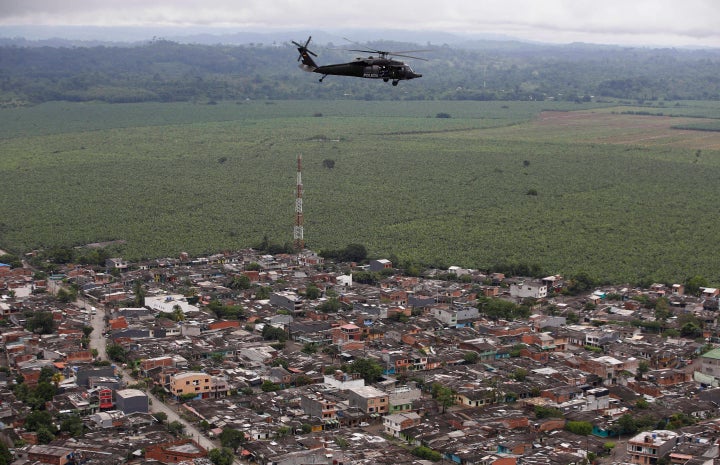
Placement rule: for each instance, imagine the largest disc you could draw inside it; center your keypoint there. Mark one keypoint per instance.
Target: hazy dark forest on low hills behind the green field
(166, 71)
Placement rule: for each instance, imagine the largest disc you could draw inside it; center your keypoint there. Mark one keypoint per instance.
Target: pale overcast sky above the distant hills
(627, 22)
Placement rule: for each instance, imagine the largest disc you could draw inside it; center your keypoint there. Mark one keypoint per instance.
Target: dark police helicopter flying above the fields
(380, 67)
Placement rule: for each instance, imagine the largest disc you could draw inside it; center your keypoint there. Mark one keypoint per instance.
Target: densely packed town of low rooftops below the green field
(291, 359)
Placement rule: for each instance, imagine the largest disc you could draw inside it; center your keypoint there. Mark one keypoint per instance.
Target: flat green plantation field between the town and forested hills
(621, 196)
